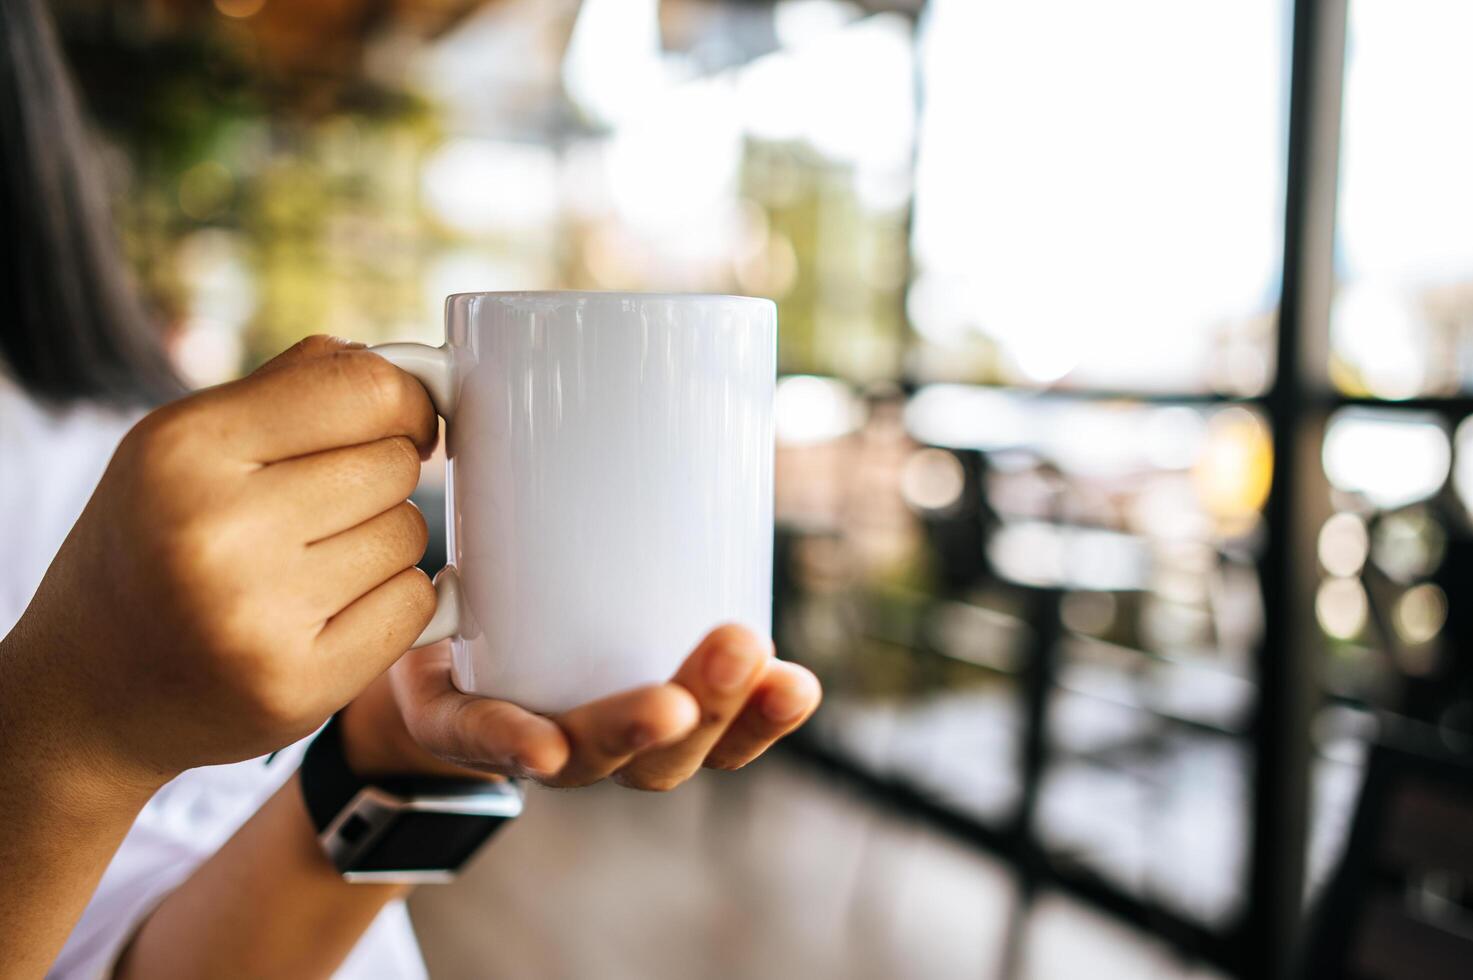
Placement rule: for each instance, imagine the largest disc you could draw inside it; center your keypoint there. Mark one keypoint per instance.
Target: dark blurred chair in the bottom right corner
(1402, 903)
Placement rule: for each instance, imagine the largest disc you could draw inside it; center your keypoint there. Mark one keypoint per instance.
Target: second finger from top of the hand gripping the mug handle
(314, 497)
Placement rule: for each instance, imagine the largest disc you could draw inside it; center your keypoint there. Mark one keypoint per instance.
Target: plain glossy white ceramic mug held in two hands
(609, 486)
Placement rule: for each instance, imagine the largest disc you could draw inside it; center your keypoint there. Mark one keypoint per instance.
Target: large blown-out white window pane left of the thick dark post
(1104, 179)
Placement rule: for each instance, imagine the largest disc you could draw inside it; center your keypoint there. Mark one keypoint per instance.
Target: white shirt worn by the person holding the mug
(49, 466)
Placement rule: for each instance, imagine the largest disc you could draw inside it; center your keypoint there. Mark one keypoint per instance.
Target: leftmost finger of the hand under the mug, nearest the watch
(474, 733)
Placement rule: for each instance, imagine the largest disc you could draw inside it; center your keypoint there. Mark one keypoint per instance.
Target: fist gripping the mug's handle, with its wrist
(244, 570)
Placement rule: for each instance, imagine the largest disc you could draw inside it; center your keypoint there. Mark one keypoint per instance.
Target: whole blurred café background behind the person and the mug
(1125, 478)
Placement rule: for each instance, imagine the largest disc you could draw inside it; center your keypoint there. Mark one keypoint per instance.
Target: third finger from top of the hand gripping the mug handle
(353, 564)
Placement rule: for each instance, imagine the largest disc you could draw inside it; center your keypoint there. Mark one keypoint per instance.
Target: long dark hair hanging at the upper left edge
(71, 322)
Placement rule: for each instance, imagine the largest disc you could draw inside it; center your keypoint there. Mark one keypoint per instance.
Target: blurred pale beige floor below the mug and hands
(758, 876)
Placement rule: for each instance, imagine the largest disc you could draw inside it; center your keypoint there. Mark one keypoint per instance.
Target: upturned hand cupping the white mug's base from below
(723, 710)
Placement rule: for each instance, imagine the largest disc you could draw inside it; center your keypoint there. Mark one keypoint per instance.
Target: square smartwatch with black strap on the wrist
(413, 830)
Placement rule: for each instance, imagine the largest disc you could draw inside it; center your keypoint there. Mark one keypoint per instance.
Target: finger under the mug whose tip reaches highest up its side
(721, 676)
